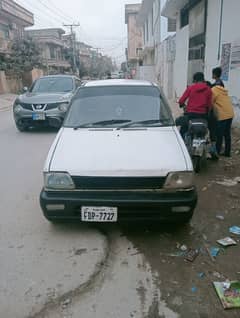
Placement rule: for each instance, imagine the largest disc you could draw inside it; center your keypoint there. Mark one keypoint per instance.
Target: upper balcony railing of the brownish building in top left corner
(9, 7)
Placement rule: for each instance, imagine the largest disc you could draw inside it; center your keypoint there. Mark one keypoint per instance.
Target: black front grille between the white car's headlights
(118, 183)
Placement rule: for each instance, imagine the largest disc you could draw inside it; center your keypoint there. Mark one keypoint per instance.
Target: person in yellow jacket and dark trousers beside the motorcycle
(224, 113)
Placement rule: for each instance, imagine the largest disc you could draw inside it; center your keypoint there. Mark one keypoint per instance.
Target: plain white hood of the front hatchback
(88, 152)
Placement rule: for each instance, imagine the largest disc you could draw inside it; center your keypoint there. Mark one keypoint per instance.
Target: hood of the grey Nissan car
(44, 98)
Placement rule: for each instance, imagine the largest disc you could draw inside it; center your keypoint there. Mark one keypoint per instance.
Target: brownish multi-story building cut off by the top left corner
(13, 19)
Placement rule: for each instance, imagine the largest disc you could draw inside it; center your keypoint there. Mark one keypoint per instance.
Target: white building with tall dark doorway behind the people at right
(206, 37)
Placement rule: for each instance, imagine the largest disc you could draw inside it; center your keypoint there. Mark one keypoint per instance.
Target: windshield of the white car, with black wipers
(116, 106)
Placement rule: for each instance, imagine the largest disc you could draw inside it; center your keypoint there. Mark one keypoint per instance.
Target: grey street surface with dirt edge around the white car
(117, 272)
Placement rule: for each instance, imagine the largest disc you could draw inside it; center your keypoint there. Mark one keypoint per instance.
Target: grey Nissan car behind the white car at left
(45, 102)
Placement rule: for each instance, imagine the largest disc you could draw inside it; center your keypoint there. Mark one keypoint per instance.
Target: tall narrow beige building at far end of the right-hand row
(135, 37)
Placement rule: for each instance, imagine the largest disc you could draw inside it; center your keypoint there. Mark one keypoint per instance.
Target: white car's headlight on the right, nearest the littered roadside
(179, 180)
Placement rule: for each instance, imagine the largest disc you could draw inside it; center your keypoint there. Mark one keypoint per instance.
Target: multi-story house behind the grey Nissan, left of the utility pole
(51, 44)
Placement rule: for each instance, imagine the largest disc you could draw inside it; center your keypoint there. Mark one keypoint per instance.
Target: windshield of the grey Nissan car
(53, 85)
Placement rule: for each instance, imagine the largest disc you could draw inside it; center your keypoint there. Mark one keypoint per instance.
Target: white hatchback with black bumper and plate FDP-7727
(118, 157)
